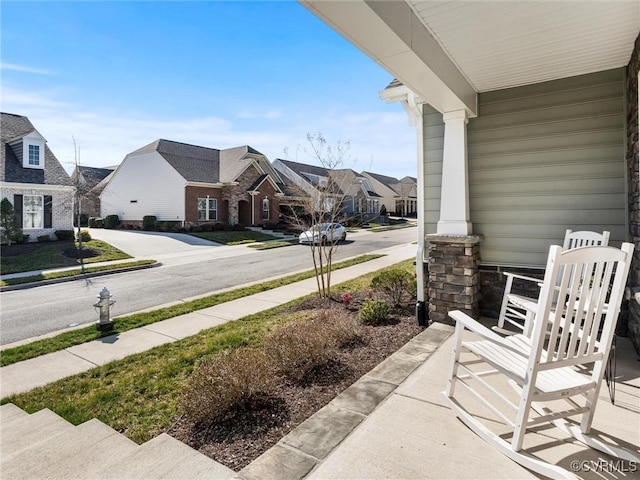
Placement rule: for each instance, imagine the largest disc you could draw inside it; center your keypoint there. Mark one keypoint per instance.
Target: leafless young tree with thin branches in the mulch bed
(325, 205)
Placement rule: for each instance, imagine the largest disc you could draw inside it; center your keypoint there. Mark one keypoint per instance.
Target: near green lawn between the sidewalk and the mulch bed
(139, 395)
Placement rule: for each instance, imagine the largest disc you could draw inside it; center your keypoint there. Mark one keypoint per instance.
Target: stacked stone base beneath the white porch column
(454, 280)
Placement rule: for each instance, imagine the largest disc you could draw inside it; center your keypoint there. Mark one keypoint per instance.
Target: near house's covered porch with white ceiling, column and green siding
(527, 119)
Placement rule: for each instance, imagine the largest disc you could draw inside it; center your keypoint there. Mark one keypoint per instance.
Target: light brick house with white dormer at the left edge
(33, 180)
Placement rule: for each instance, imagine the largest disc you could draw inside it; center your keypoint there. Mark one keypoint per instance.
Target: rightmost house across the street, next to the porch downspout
(399, 197)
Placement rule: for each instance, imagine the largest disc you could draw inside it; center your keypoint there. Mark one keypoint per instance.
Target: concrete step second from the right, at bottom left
(74, 453)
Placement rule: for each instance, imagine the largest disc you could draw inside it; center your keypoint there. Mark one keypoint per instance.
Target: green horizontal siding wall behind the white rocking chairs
(543, 158)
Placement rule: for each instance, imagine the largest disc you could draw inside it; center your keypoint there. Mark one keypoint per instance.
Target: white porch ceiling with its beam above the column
(448, 51)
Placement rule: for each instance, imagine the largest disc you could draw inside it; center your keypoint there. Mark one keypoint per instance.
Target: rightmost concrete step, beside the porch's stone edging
(164, 457)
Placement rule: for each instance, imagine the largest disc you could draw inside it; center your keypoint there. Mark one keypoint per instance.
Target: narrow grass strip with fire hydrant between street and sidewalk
(122, 324)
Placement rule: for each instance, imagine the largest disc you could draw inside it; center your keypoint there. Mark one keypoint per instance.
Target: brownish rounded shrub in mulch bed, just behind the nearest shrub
(295, 349)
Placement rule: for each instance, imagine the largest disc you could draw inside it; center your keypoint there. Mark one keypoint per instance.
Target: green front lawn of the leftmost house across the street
(51, 255)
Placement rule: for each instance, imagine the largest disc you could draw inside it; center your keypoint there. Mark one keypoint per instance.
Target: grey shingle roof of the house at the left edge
(13, 127)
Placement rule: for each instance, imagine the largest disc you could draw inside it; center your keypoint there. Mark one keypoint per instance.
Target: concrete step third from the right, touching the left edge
(29, 431)
